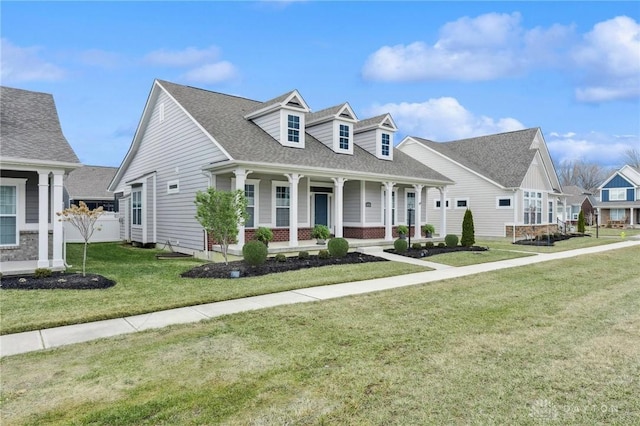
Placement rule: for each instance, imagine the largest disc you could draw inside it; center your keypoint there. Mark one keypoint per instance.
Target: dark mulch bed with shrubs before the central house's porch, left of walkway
(271, 266)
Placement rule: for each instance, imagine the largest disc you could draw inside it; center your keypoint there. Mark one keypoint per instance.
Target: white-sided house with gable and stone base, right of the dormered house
(507, 180)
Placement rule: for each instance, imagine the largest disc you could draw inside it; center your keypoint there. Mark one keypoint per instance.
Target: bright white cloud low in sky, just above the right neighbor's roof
(443, 119)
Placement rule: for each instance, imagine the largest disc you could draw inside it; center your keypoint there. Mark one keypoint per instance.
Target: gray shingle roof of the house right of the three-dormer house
(504, 158)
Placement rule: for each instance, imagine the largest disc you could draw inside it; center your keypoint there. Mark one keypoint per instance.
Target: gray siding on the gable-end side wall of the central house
(176, 149)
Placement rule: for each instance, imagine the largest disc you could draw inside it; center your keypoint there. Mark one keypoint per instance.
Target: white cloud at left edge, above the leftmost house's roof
(21, 64)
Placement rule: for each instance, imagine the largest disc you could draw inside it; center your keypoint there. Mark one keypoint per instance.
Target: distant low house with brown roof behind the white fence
(89, 184)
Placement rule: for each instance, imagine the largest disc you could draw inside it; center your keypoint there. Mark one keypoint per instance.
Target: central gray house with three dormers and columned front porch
(297, 168)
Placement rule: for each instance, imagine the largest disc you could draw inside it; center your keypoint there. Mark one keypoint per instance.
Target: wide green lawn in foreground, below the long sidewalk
(555, 342)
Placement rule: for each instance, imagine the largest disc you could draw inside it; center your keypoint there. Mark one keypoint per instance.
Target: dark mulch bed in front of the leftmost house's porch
(58, 280)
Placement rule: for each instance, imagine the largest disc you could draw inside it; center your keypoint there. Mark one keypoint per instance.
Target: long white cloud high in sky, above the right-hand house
(482, 48)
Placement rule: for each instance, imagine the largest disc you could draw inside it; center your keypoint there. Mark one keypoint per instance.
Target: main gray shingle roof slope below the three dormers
(222, 116)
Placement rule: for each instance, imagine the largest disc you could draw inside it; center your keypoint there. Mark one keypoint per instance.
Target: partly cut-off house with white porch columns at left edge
(34, 158)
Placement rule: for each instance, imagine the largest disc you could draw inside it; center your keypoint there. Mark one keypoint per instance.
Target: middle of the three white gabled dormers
(334, 127)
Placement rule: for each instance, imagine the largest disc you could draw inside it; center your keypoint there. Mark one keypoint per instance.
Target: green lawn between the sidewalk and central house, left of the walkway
(145, 284)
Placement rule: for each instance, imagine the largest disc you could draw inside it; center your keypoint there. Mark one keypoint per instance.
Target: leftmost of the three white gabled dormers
(283, 118)
